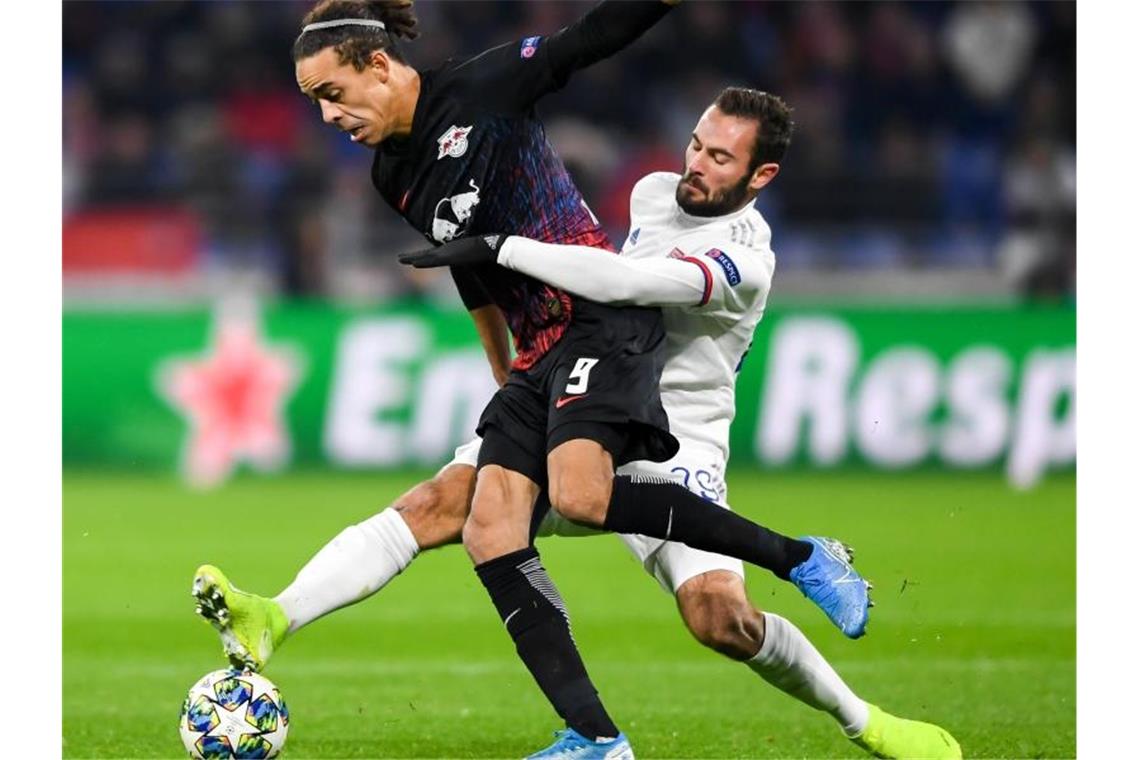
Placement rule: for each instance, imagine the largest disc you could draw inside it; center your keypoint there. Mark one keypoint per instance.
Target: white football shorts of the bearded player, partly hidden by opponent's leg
(697, 468)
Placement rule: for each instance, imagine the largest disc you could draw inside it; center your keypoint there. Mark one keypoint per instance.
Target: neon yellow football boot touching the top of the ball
(251, 627)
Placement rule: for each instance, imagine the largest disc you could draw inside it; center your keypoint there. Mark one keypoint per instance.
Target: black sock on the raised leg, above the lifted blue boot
(662, 509)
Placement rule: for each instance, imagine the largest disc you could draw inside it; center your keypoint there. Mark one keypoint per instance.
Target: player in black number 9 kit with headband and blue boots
(460, 151)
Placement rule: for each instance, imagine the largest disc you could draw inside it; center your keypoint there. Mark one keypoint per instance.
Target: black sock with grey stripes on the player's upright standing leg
(536, 619)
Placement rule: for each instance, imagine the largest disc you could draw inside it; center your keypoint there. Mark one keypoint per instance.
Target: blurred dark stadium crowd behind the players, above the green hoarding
(932, 137)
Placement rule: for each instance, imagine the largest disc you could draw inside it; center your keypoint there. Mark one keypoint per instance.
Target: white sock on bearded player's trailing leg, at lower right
(788, 661)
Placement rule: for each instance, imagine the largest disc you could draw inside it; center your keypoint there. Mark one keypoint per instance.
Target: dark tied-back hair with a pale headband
(355, 44)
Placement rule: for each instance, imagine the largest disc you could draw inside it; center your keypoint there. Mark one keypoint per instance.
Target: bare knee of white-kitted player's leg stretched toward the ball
(436, 511)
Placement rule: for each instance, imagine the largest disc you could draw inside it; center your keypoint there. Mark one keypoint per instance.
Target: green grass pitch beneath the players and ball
(975, 625)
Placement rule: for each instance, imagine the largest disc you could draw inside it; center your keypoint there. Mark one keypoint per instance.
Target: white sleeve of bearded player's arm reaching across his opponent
(699, 282)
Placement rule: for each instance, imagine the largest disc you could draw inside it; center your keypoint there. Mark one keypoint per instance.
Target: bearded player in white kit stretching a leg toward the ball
(701, 250)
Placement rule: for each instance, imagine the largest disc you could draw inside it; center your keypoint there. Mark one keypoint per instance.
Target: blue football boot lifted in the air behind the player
(828, 579)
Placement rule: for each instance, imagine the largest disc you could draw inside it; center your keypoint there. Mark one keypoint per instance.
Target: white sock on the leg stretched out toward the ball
(356, 565)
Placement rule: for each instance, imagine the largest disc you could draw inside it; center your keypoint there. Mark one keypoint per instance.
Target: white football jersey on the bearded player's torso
(705, 344)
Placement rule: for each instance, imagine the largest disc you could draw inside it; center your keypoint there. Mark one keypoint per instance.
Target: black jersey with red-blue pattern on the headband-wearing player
(478, 162)
